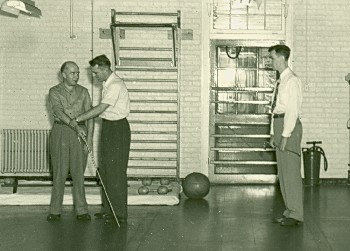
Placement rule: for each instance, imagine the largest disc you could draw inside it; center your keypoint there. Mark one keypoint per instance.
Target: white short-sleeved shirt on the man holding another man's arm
(115, 94)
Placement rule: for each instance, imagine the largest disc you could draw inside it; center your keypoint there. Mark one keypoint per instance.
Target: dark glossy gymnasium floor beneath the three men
(230, 218)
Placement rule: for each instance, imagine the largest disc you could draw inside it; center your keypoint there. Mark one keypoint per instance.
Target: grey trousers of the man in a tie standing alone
(288, 166)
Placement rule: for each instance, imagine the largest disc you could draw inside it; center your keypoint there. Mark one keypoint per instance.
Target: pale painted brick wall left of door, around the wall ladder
(32, 51)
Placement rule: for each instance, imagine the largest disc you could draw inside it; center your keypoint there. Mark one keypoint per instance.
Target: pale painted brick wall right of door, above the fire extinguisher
(321, 58)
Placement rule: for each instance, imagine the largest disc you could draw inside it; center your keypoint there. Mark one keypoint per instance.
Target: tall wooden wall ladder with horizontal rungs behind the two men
(146, 48)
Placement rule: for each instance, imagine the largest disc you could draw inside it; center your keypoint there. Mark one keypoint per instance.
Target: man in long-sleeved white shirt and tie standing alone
(286, 134)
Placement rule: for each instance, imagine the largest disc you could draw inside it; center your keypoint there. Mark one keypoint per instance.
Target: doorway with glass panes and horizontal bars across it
(241, 88)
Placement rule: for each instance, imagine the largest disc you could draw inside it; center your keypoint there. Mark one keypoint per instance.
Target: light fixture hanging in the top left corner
(24, 6)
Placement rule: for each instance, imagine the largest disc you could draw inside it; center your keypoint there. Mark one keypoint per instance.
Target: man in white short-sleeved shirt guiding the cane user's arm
(115, 138)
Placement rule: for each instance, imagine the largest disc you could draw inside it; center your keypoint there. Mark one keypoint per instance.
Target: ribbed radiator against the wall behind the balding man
(25, 152)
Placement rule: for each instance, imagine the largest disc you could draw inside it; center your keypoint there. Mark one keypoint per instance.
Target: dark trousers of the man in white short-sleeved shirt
(115, 148)
